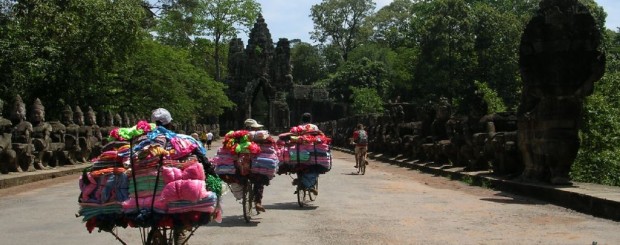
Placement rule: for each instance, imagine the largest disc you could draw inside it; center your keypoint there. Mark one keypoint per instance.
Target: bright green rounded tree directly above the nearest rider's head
(160, 75)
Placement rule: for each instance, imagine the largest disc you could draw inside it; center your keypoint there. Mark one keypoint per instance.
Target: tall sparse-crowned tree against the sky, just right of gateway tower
(342, 23)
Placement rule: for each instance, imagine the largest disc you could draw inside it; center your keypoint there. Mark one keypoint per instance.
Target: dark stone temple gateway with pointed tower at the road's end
(259, 80)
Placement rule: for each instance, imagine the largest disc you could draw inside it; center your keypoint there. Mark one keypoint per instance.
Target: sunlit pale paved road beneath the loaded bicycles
(389, 205)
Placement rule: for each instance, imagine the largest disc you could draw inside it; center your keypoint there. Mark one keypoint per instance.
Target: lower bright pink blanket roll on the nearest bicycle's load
(190, 190)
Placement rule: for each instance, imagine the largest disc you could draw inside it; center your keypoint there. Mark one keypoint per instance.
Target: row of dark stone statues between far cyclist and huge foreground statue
(437, 136)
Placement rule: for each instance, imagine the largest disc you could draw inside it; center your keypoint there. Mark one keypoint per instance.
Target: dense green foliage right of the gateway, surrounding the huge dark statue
(457, 49)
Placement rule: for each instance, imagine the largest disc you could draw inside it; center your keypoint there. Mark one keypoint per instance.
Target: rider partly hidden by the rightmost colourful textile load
(309, 176)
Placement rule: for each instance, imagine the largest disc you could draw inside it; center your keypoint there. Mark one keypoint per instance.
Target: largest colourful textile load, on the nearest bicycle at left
(163, 185)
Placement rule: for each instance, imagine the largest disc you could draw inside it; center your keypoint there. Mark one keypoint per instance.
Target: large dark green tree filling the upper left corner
(67, 49)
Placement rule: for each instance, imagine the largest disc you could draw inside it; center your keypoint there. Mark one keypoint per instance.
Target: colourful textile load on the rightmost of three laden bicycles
(304, 148)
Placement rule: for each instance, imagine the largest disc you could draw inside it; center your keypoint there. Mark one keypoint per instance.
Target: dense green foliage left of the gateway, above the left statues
(111, 55)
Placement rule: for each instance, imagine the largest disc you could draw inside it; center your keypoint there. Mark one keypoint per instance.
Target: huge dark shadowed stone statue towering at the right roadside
(560, 61)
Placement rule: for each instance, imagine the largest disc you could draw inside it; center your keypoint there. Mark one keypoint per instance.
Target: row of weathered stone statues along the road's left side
(28, 142)
